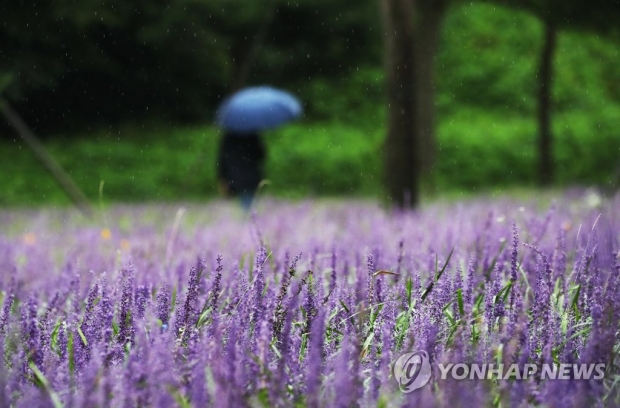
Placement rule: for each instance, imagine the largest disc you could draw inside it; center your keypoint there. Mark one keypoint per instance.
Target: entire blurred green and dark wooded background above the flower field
(125, 93)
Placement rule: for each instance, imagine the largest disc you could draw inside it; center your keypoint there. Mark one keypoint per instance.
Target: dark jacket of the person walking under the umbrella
(240, 162)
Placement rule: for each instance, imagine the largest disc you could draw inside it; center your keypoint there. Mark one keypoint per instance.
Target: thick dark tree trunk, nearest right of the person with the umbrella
(400, 159)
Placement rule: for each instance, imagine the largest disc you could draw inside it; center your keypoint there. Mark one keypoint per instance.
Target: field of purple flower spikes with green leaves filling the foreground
(310, 304)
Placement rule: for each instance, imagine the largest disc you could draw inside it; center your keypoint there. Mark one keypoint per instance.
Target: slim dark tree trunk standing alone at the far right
(545, 77)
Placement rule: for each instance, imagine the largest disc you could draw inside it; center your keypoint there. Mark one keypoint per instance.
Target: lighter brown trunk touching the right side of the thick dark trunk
(430, 14)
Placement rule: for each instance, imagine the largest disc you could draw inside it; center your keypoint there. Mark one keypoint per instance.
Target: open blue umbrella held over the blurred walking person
(257, 108)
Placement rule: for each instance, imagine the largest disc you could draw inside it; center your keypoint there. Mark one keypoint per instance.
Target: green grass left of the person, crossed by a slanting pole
(134, 163)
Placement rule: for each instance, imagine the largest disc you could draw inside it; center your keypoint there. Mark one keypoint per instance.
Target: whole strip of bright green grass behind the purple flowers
(478, 151)
